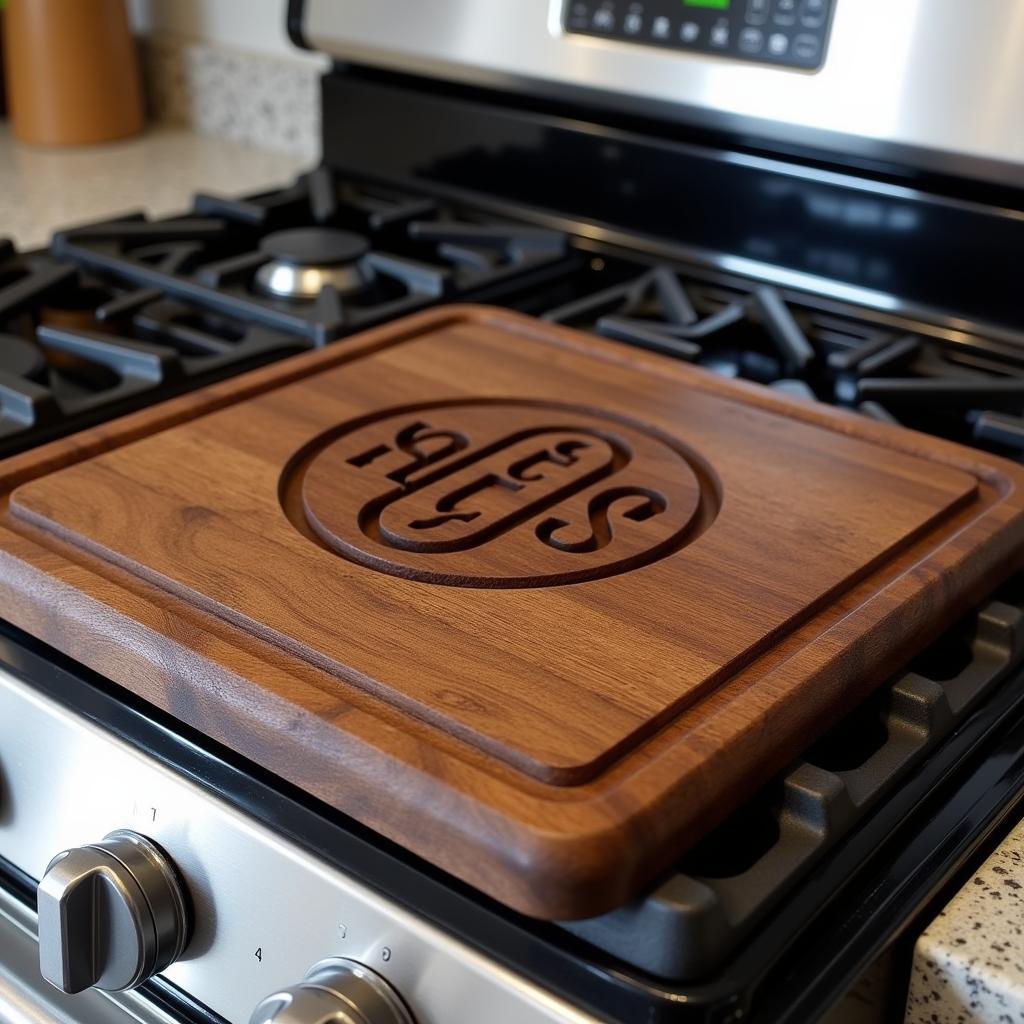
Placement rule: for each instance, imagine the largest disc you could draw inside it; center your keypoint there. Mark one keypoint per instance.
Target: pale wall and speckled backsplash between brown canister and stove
(227, 68)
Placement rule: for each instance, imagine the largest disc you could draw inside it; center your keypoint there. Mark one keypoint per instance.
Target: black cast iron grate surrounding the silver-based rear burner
(405, 253)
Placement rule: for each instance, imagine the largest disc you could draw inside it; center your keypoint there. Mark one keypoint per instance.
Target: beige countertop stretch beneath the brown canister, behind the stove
(157, 173)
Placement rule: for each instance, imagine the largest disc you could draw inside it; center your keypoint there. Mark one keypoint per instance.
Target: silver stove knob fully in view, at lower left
(111, 915)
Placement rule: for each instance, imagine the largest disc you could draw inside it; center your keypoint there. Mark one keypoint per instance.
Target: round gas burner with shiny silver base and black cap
(305, 261)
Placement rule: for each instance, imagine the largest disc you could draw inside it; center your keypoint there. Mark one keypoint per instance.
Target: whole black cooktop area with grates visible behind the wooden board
(129, 312)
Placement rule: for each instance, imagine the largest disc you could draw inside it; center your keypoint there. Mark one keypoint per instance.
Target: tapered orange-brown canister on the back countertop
(72, 72)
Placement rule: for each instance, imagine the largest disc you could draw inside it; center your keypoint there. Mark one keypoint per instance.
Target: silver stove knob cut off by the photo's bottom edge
(335, 992)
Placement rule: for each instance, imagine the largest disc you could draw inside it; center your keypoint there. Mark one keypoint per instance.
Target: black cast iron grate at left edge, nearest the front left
(75, 351)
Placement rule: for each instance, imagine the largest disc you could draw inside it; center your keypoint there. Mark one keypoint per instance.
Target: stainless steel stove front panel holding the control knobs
(145, 872)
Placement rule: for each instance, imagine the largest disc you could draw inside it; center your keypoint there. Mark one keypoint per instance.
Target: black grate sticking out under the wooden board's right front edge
(690, 924)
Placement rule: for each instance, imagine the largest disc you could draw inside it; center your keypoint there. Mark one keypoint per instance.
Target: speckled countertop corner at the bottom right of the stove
(969, 964)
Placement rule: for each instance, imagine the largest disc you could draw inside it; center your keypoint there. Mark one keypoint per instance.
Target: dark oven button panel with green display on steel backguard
(791, 33)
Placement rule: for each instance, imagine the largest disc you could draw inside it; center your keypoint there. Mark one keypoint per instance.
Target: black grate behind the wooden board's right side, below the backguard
(967, 390)
